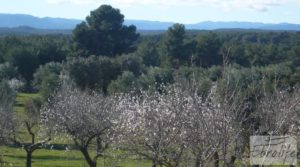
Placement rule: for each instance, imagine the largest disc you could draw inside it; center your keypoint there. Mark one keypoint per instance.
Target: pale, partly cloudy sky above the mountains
(180, 11)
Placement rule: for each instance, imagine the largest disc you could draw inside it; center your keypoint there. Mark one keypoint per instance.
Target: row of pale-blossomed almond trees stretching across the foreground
(173, 126)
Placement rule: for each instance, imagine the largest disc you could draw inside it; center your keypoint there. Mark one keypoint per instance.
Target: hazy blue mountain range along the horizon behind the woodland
(57, 24)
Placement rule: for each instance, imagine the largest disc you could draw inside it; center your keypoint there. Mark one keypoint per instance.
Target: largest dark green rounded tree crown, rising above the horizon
(103, 33)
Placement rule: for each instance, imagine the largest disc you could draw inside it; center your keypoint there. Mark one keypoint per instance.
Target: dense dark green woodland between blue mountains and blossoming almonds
(178, 53)
